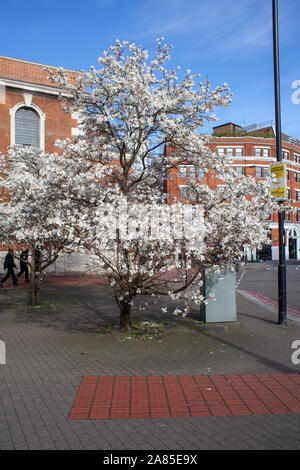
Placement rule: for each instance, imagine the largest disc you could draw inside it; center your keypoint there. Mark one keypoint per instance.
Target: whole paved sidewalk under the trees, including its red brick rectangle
(55, 350)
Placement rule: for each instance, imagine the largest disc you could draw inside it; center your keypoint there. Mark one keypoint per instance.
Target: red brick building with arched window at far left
(30, 112)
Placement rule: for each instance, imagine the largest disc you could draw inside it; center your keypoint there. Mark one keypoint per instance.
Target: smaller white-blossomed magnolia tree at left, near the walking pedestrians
(33, 216)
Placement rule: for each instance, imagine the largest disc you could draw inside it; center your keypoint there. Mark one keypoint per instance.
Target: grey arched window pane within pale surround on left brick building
(27, 127)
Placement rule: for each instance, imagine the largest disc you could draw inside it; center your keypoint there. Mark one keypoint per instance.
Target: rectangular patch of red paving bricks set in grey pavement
(115, 397)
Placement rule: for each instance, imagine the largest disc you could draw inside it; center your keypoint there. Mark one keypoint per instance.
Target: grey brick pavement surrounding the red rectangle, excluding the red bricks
(50, 350)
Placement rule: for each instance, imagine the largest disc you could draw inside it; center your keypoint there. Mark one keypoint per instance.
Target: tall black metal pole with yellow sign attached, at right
(281, 265)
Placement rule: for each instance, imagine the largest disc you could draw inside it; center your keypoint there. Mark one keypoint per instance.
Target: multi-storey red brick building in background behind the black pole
(253, 150)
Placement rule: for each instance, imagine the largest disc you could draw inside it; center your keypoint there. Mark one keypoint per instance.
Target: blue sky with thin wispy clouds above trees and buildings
(224, 40)
